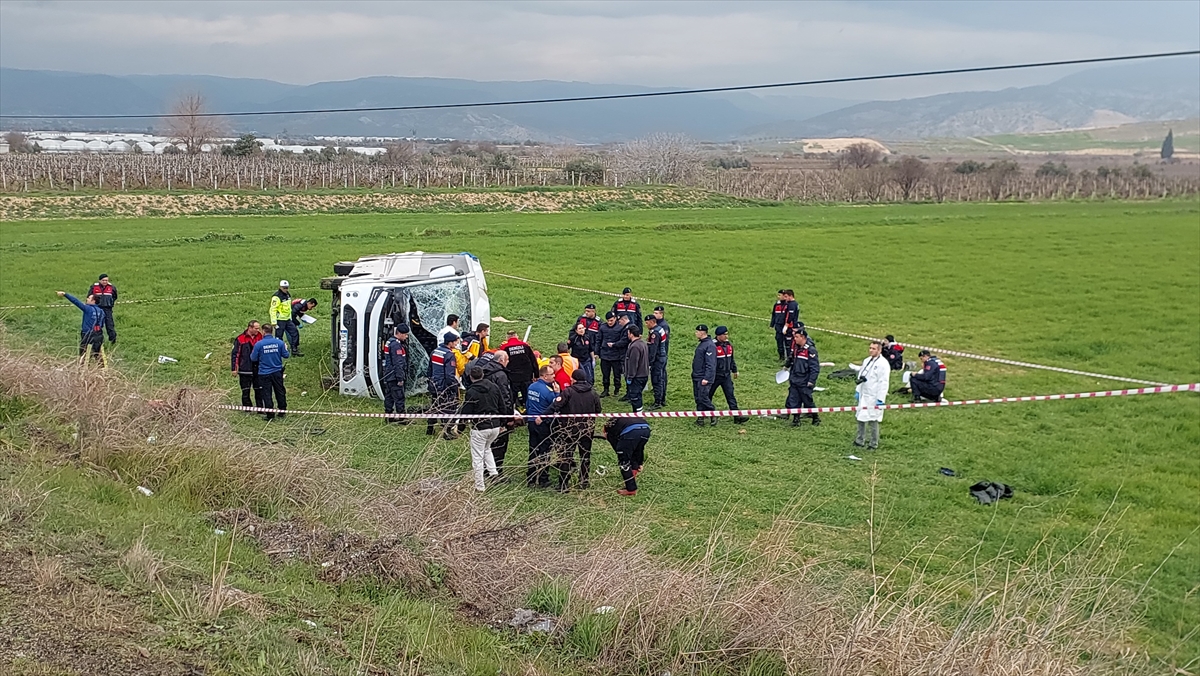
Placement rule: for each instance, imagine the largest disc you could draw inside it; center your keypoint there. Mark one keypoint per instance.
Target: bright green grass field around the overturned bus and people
(1106, 288)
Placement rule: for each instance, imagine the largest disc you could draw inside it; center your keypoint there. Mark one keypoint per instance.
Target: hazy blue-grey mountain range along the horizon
(1145, 92)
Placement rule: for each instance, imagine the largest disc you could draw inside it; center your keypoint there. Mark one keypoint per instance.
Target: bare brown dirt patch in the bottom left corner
(55, 621)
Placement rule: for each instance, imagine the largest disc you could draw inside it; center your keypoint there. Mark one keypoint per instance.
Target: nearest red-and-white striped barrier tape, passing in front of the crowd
(740, 414)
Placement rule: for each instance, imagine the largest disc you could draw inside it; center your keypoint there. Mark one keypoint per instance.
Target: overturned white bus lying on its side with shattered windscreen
(375, 294)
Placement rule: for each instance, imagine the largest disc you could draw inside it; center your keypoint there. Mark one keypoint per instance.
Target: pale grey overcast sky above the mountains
(651, 44)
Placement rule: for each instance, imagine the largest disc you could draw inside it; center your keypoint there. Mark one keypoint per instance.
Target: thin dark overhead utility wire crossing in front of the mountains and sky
(635, 95)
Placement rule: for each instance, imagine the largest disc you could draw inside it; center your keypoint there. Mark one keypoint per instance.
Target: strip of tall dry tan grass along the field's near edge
(766, 612)
